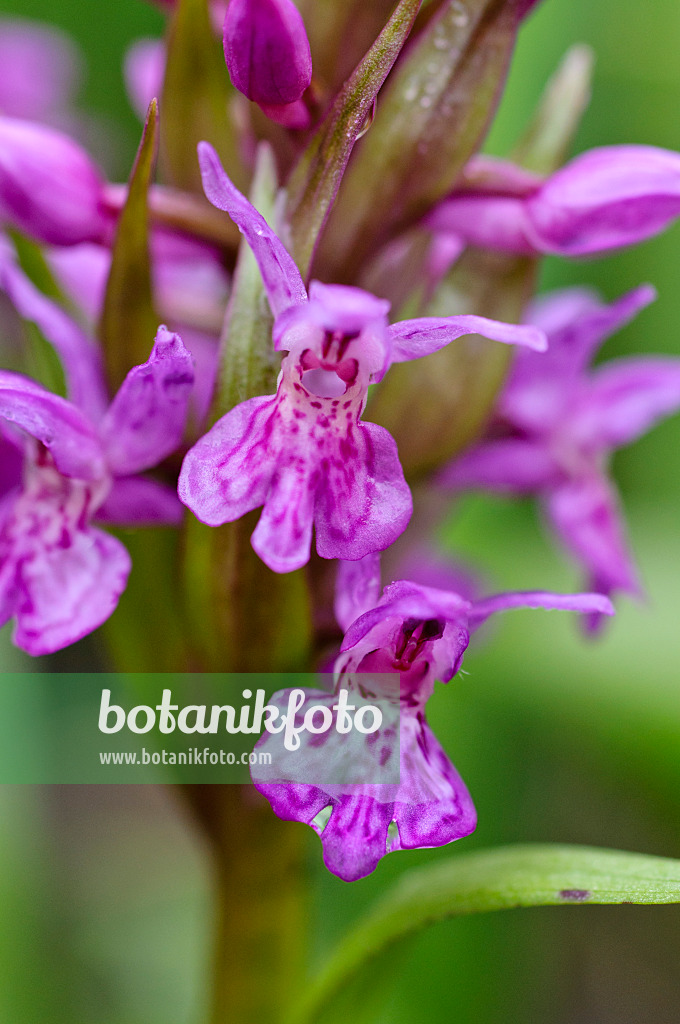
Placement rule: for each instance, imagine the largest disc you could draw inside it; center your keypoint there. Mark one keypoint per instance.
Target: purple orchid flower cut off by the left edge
(72, 463)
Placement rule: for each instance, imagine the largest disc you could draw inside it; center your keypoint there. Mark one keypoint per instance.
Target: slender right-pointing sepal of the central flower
(413, 339)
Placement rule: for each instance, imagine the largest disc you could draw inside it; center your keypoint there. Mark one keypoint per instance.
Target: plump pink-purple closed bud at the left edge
(50, 188)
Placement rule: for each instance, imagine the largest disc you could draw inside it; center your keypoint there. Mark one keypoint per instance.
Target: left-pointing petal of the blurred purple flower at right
(513, 465)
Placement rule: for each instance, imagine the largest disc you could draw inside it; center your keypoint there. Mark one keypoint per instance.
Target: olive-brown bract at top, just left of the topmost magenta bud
(196, 99)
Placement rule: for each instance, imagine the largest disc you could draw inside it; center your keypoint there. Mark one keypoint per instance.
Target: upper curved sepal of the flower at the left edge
(82, 361)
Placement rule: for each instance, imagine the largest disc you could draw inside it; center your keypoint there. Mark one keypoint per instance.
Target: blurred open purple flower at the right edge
(559, 421)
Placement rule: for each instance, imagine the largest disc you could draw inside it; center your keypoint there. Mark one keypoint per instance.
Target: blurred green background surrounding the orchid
(105, 894)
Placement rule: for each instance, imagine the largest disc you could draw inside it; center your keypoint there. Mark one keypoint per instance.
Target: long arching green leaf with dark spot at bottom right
(492, 880)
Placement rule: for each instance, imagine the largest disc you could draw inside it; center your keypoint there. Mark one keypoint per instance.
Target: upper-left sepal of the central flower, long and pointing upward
(280, 275)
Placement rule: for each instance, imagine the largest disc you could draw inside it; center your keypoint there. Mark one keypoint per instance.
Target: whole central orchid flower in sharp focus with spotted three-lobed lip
(305, 454)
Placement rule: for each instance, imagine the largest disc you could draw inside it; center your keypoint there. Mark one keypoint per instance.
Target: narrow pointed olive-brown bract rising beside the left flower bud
(129, 321)
